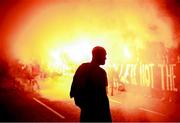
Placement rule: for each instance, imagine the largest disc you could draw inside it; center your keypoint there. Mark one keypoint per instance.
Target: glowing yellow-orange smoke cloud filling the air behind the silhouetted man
(60, 35)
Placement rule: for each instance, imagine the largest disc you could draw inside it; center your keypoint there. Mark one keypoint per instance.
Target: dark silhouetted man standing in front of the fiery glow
(89, 89)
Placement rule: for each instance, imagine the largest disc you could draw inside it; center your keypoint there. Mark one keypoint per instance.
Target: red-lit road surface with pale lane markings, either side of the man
(21, 106)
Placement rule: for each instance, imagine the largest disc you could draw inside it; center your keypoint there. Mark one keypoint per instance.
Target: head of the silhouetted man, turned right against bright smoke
(99, 55)
